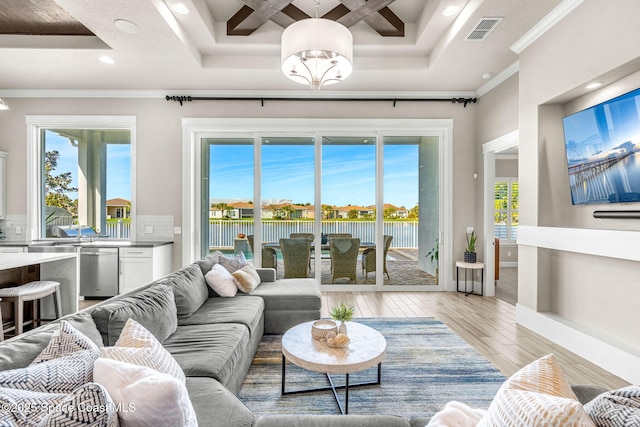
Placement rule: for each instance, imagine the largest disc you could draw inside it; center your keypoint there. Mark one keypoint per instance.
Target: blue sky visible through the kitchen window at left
(118, 165)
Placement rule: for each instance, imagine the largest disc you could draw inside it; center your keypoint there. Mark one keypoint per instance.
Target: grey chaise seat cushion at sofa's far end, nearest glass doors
(290, 294)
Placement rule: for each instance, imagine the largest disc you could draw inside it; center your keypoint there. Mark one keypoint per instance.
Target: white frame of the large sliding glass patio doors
(195, 128)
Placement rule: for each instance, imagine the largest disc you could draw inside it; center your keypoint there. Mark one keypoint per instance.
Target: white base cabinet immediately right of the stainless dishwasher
(140, 265)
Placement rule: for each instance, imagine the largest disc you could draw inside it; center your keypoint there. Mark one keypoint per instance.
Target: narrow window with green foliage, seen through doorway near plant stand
(506, 209)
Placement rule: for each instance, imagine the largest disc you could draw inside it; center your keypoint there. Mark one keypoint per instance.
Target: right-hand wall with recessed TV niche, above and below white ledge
(593, 294)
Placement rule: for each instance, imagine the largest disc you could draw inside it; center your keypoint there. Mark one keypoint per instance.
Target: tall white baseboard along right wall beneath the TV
(615, 359)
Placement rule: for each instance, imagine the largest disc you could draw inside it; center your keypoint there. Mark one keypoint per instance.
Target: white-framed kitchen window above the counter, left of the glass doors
(82, 176)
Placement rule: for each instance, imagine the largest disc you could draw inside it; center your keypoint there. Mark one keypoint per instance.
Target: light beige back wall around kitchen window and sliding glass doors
(159, 143)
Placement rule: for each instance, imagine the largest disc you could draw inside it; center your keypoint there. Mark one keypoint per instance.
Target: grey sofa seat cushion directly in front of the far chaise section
(247, 311)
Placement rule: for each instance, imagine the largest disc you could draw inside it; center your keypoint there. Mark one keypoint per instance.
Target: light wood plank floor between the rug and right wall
(487, 324)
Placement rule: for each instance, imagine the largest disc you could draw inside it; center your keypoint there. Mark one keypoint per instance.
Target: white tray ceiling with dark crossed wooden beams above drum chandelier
(234, 45)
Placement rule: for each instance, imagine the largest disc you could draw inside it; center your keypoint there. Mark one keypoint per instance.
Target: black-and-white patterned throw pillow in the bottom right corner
(617, 408)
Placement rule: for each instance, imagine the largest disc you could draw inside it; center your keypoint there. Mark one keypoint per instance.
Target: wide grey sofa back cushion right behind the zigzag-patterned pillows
(153, 307)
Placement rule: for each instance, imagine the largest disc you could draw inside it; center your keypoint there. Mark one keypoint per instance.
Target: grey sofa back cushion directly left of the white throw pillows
(189, 289)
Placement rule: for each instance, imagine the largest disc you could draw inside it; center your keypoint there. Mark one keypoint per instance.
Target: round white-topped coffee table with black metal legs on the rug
(366, 350)
